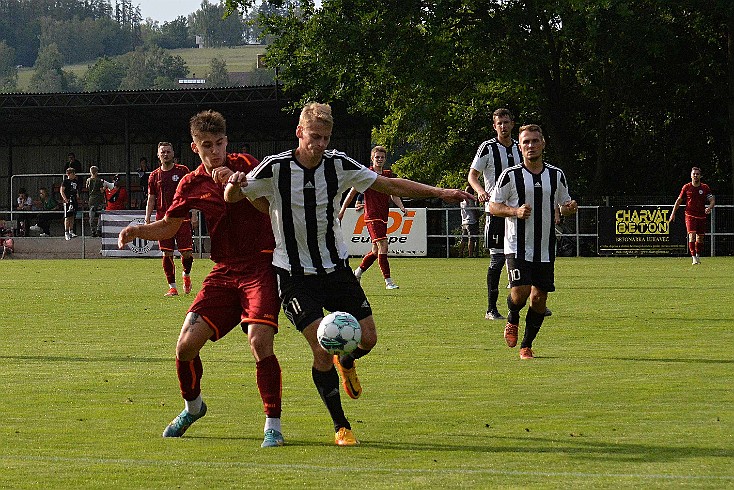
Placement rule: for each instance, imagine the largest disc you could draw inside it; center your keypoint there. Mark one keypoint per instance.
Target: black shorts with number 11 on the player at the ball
(304, 298)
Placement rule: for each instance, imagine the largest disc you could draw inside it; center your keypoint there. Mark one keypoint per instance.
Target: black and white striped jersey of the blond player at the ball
(304, 208)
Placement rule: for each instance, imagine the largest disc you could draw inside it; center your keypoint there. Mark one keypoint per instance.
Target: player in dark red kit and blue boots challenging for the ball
(240, 289)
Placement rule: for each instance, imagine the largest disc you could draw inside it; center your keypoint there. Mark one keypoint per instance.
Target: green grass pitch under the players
(633, 385)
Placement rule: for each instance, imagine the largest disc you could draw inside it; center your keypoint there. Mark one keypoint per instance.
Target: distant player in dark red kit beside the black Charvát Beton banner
(696, 195)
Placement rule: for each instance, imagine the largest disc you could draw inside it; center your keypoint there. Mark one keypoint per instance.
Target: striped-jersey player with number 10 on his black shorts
(527, 195)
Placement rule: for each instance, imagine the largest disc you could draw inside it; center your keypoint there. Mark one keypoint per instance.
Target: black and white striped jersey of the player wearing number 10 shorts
(533, 239)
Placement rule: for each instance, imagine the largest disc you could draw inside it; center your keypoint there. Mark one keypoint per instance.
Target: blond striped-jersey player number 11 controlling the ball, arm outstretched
(303, 189)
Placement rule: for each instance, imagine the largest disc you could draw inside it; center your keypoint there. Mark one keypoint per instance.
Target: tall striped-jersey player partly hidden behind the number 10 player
(493, 156)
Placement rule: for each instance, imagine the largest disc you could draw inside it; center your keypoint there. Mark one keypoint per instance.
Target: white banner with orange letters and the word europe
(406, 235)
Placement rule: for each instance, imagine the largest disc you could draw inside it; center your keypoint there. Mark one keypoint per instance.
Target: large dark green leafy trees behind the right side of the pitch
(614, 84)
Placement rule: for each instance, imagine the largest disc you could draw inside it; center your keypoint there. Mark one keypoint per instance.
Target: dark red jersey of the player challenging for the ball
(239, 232)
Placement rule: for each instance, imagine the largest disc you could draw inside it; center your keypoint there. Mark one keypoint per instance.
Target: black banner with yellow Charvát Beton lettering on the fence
(641, 230)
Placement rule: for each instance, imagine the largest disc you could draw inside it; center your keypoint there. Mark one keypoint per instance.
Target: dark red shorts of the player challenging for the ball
(237, 294)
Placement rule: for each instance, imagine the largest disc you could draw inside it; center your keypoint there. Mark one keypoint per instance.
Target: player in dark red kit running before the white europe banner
(376, 213)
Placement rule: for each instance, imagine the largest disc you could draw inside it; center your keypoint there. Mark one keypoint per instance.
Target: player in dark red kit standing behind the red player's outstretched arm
(162, 184)
